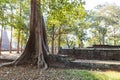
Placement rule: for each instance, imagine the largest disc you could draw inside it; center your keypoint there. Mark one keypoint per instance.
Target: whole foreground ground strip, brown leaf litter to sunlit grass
(32, 73)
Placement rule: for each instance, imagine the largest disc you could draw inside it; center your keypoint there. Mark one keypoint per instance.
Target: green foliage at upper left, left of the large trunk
(15, 14)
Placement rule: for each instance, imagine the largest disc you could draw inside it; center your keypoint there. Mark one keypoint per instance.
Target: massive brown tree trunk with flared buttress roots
(36, 48)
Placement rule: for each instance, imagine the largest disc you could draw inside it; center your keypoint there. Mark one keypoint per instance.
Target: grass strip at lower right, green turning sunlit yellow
(73, 74)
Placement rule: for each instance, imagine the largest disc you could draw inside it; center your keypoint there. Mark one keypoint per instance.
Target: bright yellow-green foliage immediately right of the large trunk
(65, 15)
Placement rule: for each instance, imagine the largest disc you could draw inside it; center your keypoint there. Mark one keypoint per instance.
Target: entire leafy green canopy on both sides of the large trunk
(68, 17)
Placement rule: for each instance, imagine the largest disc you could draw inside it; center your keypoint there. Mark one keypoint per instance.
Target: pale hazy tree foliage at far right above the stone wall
(105, 21)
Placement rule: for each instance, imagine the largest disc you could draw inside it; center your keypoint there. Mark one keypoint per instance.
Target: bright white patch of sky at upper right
(90, 4)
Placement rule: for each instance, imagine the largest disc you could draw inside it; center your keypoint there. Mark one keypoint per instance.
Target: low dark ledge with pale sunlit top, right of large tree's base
(63, 61)
